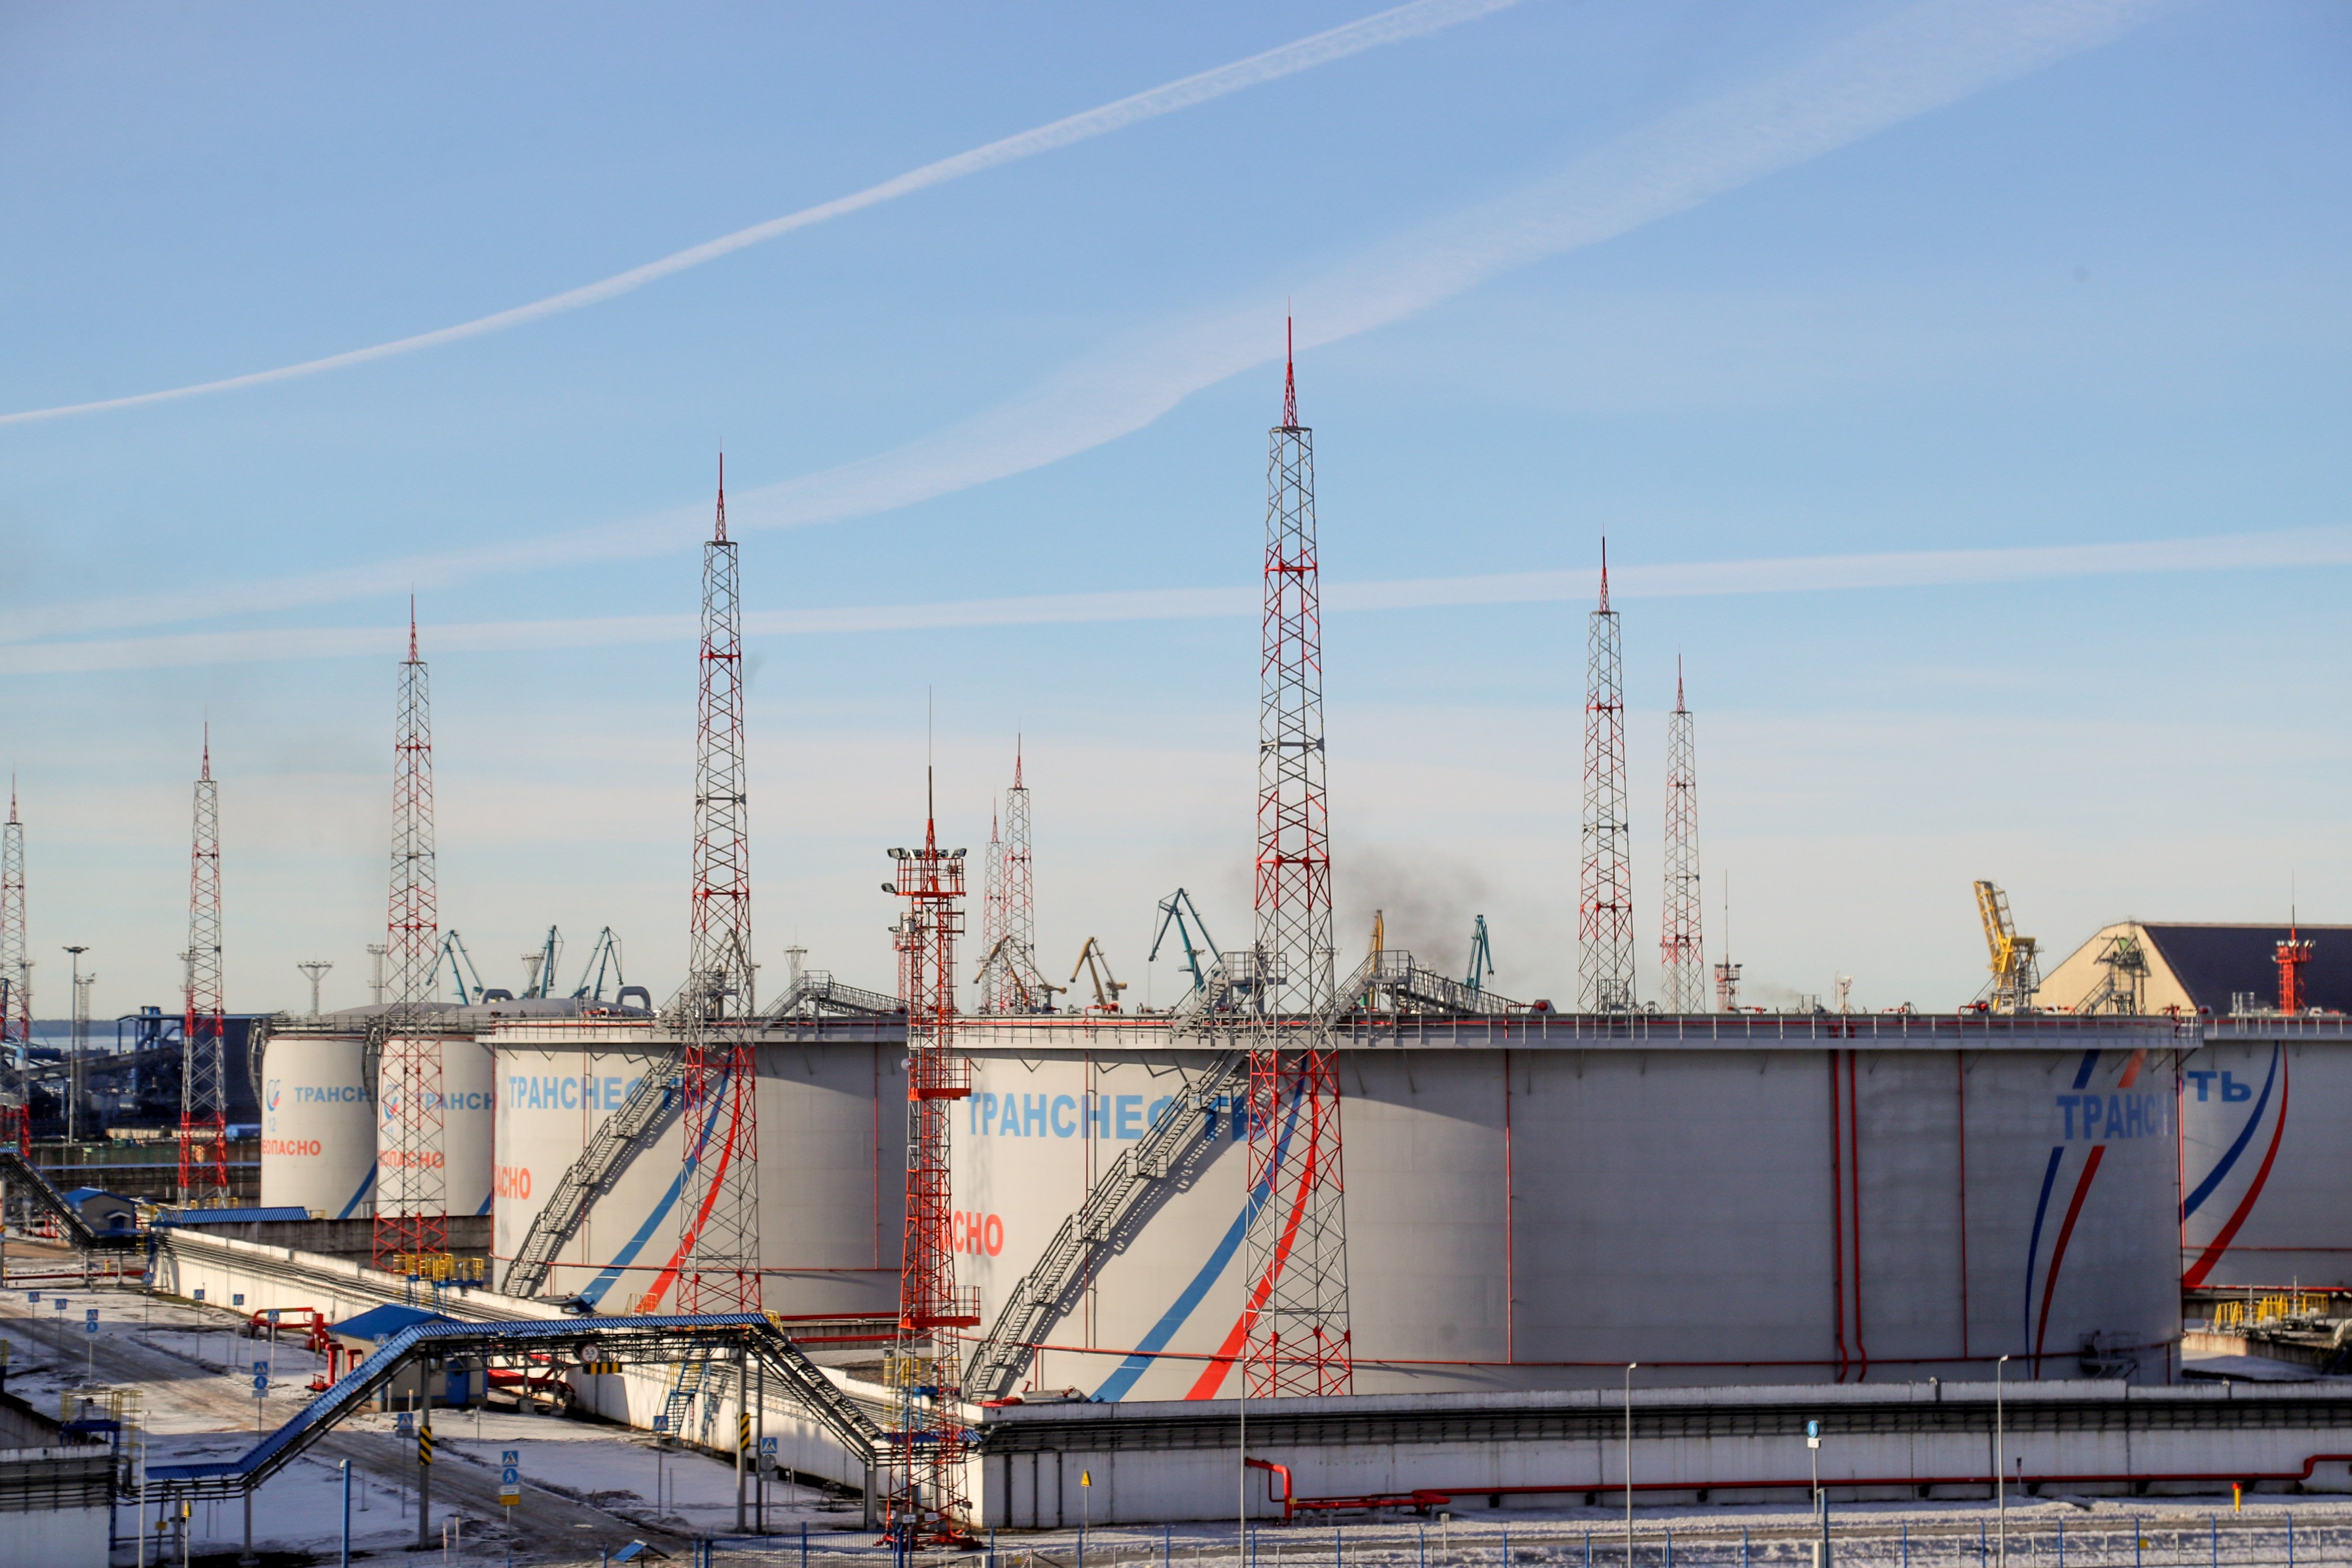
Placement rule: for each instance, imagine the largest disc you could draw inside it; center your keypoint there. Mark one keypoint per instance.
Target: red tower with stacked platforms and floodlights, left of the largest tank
(928, 1442)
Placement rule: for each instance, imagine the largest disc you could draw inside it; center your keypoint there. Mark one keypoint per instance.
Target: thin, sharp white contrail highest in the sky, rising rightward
(1304, 55)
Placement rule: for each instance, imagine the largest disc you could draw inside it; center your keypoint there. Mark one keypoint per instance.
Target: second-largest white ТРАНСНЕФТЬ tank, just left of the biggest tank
(831, 1172)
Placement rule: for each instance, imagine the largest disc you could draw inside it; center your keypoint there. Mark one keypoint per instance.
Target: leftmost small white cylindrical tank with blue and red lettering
(319, 1120)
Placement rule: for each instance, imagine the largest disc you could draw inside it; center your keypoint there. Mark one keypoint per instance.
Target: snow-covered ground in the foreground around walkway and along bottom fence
(594, 1489)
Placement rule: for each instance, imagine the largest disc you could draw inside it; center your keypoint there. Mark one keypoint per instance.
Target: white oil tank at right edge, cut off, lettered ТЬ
(2261, 1172)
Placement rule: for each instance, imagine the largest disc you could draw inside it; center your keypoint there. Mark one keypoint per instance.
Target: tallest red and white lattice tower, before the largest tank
(1297, 1334)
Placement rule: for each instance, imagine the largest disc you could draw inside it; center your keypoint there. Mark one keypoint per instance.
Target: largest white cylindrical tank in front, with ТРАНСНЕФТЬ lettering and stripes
(1535, 1202)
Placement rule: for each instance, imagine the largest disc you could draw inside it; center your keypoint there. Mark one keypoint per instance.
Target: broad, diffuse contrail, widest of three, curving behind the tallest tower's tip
(1920, 60)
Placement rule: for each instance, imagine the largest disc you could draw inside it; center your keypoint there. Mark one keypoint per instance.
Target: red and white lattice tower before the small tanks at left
(413, 1186)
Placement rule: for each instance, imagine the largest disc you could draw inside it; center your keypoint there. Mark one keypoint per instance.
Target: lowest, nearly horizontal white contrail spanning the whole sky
(1629, 582)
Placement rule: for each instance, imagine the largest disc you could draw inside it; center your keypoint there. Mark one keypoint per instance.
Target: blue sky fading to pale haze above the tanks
(2050, 281)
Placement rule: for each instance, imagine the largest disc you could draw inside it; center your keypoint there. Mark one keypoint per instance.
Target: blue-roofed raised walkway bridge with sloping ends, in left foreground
(615, 1339)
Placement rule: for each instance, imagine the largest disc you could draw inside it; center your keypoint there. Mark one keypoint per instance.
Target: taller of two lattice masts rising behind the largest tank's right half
(1605, 890)
